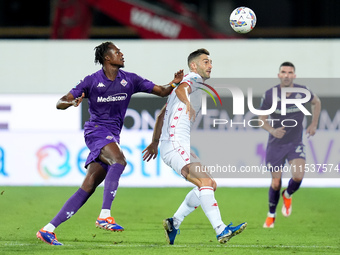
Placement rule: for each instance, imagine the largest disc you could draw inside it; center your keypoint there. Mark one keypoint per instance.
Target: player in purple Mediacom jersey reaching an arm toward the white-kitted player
(109, 91)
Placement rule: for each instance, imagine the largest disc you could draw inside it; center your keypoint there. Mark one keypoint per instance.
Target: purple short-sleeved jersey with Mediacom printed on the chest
(108, 100)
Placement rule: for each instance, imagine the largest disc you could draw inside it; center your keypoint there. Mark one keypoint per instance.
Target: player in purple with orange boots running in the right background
(285, 140)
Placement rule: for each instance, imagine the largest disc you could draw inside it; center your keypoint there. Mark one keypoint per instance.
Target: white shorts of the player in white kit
(176, 155)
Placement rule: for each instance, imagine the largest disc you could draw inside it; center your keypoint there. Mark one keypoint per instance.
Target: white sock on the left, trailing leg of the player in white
(190, 203)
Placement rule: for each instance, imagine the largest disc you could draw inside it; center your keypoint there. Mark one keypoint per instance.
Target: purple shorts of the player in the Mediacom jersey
(96, 137)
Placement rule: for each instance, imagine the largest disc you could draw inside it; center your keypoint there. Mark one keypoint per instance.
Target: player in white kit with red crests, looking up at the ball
(173, 129)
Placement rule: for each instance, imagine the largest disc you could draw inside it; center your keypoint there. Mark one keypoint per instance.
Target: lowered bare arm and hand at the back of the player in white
(151, 151)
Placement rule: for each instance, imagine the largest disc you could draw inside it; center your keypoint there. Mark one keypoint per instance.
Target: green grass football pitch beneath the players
(312, 228)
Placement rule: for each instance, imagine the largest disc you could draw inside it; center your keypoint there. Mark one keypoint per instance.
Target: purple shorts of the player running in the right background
(276, 155)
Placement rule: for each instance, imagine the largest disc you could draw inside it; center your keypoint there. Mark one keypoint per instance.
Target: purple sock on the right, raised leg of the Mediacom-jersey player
(111, 184)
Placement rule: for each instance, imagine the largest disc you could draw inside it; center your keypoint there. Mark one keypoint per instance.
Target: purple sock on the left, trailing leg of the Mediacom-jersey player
(71, 206)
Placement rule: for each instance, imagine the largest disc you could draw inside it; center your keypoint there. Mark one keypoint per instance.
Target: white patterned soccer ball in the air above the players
(242, 20)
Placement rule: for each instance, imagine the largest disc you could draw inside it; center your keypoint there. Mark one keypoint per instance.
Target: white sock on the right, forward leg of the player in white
(211, 209)
